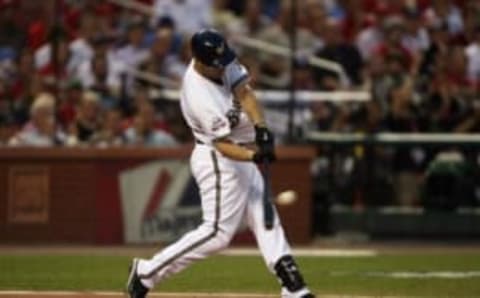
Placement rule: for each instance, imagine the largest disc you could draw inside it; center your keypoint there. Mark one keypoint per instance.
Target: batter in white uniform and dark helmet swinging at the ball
(222, 111)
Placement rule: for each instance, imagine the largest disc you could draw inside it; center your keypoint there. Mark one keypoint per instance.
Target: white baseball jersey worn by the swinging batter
(210, 108)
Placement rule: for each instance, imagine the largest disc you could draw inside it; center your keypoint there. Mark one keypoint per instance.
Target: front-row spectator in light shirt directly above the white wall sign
(143, 131)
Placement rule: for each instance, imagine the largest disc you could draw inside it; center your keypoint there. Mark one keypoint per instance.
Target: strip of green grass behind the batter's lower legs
(329, 275)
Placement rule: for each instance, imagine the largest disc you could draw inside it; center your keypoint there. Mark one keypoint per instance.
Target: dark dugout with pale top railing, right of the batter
(365, 199)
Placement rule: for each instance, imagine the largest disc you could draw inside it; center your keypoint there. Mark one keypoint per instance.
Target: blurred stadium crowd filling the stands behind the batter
(78, 72)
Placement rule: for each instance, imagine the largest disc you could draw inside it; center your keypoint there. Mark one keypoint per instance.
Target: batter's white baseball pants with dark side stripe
(231, 192)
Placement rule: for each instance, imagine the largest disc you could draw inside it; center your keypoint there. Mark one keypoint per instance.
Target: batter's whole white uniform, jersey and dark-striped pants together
(231, 191)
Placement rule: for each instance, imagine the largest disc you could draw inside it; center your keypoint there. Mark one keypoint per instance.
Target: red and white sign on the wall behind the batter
(159, 202)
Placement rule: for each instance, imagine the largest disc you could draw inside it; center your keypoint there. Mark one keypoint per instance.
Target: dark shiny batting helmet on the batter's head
(211, 48)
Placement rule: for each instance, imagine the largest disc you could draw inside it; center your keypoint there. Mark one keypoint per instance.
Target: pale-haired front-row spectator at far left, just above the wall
(41, 130)
